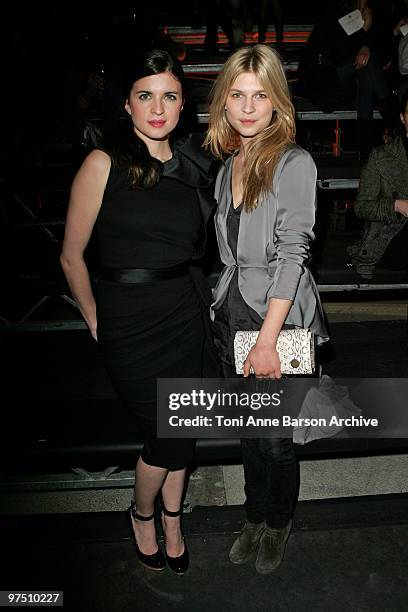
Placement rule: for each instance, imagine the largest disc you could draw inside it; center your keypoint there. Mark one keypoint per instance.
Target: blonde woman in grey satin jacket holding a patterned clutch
(266, 212)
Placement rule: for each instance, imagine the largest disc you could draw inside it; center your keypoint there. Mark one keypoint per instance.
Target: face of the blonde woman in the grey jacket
(248, 108)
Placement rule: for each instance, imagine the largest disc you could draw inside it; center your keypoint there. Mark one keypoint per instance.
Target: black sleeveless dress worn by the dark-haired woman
(150, 329)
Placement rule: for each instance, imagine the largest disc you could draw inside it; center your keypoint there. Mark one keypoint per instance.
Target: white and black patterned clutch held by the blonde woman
(295, 348)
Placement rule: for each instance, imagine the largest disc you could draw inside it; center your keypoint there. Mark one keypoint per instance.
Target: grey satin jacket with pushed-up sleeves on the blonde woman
(273, 243)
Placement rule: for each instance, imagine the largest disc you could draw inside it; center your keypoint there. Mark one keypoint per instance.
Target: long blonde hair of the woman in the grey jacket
(266, 147)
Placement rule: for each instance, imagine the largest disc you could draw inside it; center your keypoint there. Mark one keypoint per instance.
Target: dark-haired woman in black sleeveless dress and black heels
(149, 203)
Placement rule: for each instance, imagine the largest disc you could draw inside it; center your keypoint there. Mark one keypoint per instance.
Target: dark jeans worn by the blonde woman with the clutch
(271, 475)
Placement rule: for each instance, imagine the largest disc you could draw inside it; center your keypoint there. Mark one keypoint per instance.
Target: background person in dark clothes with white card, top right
(336, 66)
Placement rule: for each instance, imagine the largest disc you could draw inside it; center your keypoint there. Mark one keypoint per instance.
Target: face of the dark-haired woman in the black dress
(154, 104)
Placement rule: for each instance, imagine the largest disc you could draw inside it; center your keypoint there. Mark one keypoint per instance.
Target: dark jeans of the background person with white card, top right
(372, 85)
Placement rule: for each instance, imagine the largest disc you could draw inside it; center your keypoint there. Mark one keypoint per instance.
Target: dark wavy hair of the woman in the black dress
(125, 148)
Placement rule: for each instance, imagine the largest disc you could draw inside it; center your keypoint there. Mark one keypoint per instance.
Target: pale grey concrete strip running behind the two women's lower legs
(221, 486)
